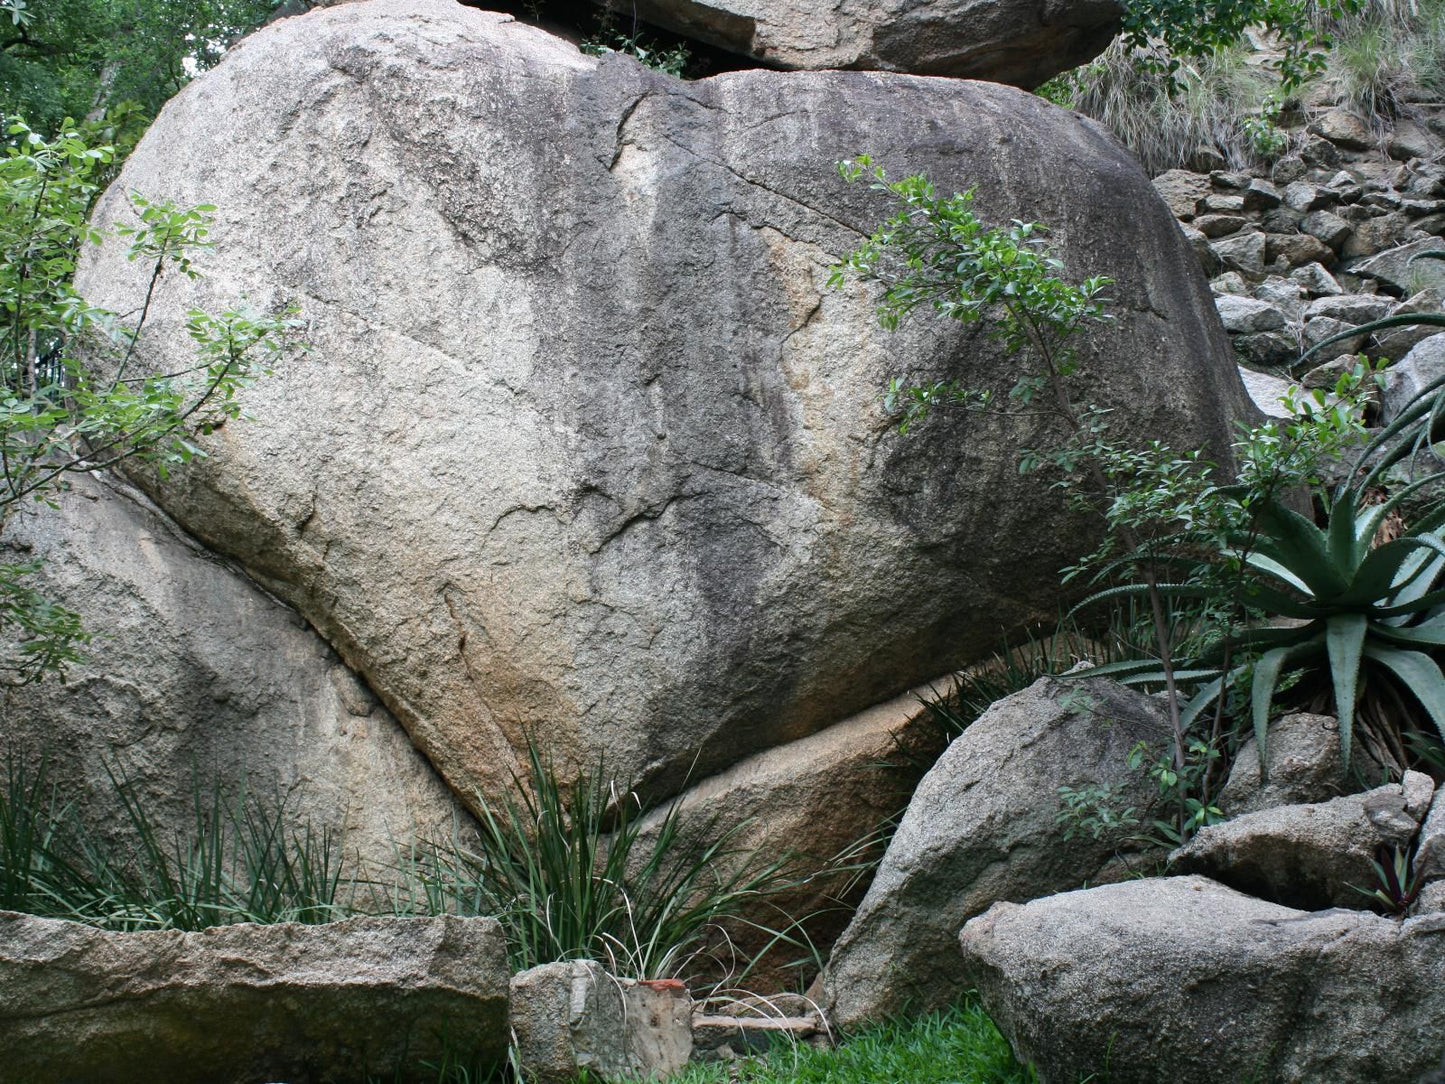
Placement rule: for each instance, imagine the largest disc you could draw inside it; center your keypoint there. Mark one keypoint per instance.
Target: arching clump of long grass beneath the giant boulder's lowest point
(580, 871)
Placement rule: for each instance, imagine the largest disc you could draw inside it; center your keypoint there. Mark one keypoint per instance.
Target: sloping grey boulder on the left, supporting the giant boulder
(196, 671)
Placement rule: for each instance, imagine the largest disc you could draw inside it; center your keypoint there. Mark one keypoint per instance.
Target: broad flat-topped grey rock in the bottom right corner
(1186, 981)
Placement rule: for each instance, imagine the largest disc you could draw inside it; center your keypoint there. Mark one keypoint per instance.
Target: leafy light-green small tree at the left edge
(74, 398)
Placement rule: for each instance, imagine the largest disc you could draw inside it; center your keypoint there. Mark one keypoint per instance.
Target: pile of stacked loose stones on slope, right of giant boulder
(1324, 244)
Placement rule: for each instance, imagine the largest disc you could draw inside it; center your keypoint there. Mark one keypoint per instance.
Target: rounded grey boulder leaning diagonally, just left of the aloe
(982, 827)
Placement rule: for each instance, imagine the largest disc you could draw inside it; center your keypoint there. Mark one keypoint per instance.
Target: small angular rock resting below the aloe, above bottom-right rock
(1310, 856)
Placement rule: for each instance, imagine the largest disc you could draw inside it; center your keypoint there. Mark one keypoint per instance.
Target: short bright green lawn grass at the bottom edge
(956, 1047)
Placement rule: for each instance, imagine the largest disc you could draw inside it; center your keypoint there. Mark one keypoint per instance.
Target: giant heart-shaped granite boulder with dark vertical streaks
(585, 449)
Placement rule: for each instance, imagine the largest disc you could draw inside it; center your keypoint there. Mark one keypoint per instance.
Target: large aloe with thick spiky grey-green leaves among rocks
(1334, 601)
